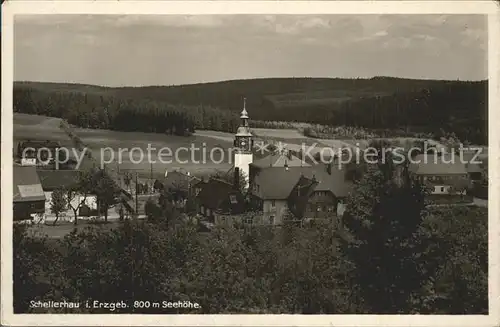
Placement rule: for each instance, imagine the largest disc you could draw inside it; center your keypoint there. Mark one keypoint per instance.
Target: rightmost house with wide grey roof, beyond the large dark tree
(444, 174)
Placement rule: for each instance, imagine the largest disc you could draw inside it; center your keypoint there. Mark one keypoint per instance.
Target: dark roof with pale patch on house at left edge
(26, 184)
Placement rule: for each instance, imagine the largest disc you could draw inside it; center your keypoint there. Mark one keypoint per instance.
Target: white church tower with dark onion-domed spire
(243, 144)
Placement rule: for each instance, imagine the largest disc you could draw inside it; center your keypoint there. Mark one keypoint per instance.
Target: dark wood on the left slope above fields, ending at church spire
(107, 111)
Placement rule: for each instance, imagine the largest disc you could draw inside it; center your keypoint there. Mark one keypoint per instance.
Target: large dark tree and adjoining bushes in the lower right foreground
(408, 259)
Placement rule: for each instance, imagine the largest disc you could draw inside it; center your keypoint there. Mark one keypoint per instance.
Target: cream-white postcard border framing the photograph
(11, 8)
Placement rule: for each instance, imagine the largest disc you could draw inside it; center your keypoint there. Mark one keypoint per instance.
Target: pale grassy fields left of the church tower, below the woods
(106, 145)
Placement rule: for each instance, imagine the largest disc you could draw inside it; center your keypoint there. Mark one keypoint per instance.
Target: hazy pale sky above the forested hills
(136, 50)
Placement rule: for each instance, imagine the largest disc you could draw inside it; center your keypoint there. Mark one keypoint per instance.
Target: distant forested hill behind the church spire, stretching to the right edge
(379, 103)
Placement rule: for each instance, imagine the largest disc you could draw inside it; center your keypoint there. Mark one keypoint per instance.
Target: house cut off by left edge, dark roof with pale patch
(28, 196)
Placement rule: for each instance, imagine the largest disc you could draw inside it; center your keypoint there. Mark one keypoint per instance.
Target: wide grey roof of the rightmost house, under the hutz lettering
(447, 164)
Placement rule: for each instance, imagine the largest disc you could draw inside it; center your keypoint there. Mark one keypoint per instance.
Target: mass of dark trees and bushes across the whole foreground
(391, 254)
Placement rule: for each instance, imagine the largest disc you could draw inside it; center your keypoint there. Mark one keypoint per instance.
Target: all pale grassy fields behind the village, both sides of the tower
(106, 145)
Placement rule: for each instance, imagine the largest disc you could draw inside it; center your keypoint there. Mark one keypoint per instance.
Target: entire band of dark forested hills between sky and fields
(382, 103)
